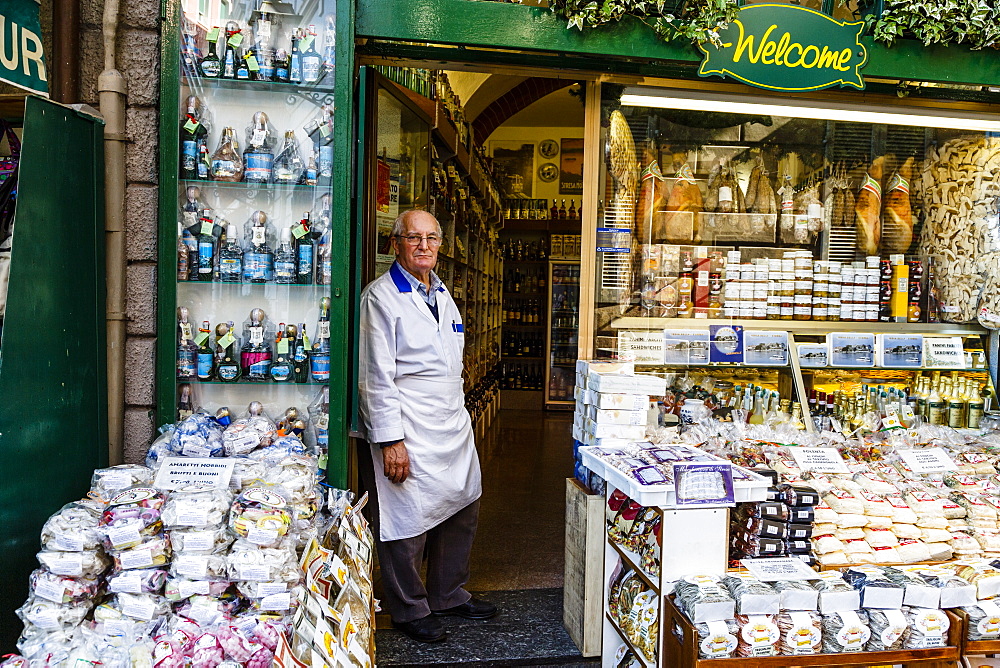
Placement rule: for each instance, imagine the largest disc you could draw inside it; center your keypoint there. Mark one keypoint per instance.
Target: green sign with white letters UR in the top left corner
(22, 61)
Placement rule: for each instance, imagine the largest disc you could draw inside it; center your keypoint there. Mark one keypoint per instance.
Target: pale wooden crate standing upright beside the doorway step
(583, 585)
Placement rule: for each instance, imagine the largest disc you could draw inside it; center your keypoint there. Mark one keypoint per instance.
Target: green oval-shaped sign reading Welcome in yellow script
(786, 47)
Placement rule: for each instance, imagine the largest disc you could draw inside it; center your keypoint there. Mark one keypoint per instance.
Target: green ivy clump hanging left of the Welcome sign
(695, 20)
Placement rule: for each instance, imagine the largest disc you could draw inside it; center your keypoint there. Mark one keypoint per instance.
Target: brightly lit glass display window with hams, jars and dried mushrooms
(798, 259)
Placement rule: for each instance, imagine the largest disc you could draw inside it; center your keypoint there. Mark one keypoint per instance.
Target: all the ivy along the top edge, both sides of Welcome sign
(971, 23)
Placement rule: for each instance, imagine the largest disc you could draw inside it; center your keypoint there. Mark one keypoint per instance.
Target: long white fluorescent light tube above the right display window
(830, 111)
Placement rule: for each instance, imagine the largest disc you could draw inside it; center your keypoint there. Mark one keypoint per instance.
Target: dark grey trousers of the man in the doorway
(448, 546)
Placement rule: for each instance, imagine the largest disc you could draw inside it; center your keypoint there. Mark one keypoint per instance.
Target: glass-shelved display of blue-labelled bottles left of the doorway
(253, 219)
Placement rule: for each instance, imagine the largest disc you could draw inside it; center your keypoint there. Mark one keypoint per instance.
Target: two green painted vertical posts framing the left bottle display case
(343, 288)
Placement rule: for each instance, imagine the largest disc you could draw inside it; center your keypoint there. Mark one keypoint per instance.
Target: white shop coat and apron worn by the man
(411, 390)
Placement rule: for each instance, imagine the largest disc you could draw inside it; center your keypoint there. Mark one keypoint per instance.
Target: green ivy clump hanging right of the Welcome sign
(975, 23)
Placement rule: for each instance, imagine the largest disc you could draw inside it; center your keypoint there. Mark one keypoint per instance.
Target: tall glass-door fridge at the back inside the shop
(561, 336)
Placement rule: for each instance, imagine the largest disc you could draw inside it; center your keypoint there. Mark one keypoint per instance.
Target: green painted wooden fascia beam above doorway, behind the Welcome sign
(465, 23)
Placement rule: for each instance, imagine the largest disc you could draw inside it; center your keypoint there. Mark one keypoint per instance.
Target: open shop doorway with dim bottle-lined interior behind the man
(497, 158)
